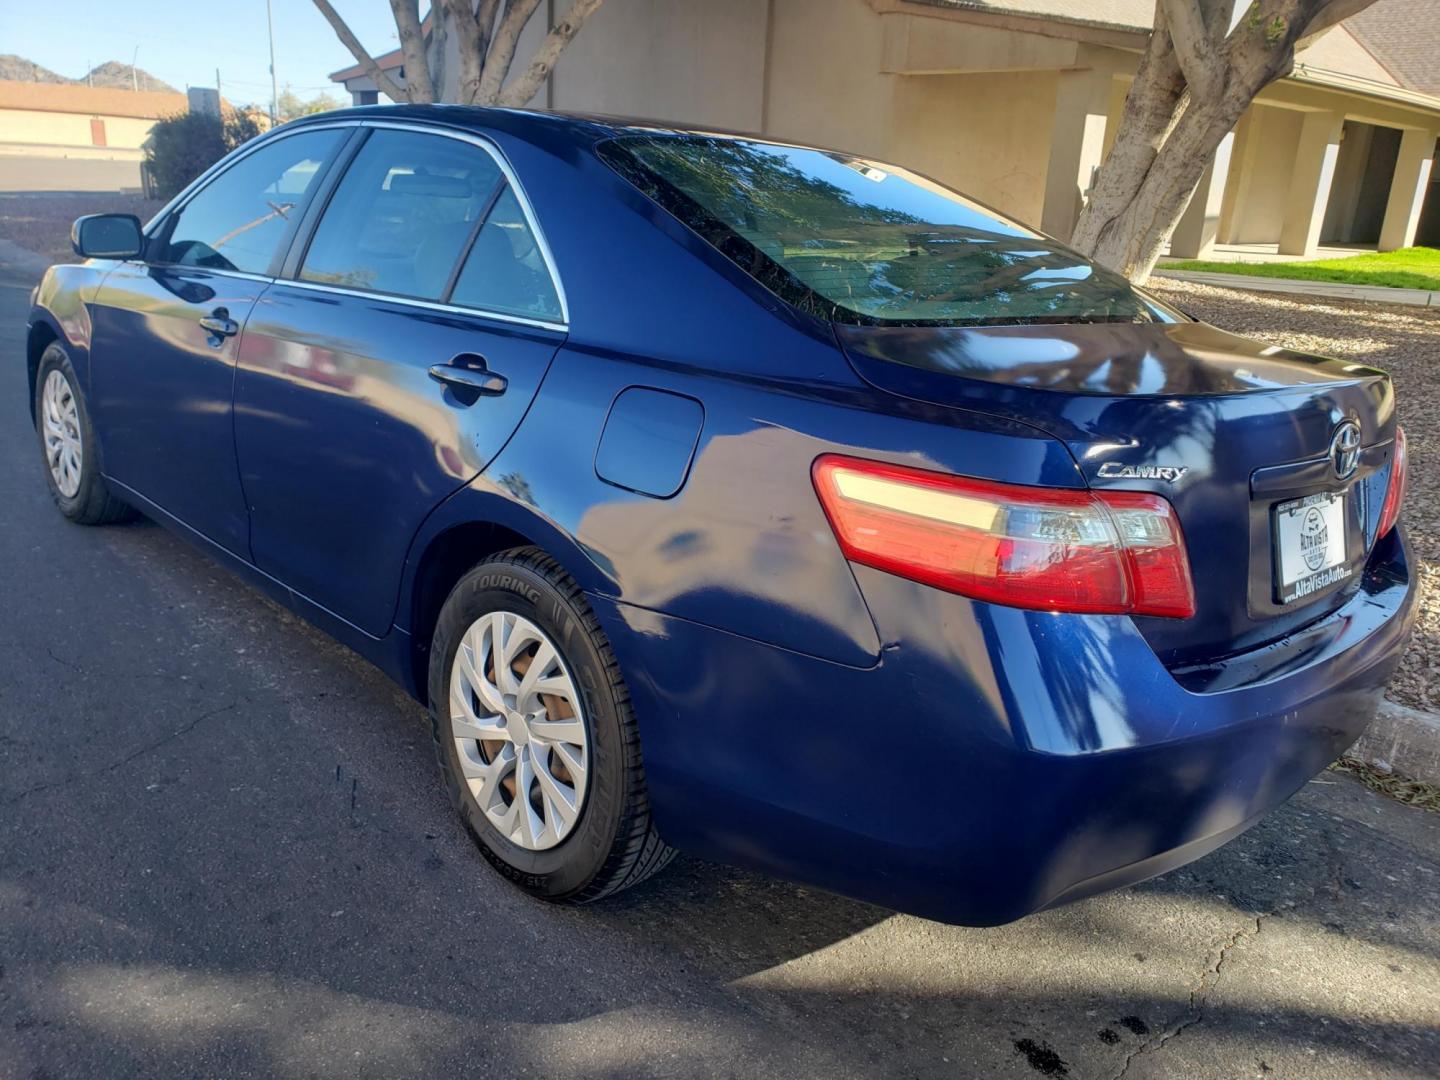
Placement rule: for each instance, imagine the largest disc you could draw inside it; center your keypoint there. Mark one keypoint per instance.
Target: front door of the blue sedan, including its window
(166, 335)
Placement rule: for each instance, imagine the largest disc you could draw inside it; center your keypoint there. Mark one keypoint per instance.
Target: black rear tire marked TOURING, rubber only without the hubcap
(614, 845)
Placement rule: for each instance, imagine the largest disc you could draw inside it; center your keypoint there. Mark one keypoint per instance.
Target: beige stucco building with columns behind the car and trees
(1016, 103)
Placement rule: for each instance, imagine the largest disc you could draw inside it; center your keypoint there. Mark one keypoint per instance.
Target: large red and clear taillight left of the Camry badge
(1053, 549)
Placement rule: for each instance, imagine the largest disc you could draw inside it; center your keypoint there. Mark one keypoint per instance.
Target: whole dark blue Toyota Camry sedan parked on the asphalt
(745, 499)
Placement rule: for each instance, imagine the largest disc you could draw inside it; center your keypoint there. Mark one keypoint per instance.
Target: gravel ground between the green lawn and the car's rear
(1405, 342)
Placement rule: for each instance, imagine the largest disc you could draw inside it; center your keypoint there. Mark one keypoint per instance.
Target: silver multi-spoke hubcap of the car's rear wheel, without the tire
(519, 731)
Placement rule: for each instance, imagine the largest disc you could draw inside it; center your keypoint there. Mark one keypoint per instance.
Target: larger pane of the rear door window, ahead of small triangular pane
(402, 215)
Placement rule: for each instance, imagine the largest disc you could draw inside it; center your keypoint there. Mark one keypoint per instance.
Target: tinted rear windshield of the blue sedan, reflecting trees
(856, 241)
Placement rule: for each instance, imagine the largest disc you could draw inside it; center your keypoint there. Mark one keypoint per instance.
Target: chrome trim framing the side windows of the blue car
(287, 269)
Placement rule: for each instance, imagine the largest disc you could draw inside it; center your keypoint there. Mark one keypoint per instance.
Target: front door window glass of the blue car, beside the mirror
(238, 221)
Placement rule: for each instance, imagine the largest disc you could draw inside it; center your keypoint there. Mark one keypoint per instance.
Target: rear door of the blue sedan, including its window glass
(390, 364)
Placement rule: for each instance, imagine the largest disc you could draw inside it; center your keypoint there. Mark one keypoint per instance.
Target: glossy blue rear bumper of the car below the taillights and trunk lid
(994, 762)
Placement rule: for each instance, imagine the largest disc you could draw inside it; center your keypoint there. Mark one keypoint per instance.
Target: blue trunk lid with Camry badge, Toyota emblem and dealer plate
(1235, 434)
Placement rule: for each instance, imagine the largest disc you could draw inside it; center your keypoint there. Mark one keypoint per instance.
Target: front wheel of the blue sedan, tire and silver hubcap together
(70, 447)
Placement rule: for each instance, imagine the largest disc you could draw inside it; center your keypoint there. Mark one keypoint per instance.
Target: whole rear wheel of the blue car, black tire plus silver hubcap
(536, 735)
